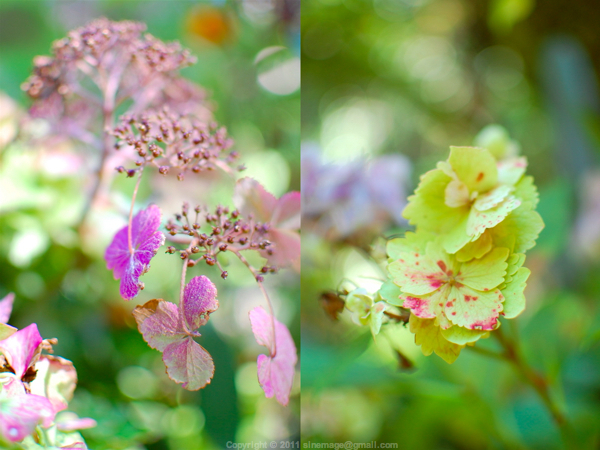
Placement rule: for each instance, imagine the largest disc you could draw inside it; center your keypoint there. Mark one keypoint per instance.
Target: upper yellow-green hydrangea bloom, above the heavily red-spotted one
(467, 195)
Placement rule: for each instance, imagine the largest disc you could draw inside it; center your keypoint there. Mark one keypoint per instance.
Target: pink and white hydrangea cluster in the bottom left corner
(35, 388)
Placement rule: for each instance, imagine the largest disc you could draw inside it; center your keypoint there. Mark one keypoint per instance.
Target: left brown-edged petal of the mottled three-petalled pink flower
(159, 323)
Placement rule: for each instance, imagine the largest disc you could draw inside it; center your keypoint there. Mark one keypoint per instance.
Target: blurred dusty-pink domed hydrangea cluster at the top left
(122, 62)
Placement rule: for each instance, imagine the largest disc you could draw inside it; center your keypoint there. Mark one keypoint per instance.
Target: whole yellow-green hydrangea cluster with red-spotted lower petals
(462, 269)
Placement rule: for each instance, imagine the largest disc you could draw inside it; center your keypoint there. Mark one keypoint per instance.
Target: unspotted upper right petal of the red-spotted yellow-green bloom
(485, 273)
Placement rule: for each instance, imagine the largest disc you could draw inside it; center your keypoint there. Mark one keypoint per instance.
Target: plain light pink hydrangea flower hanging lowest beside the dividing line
(275, 373)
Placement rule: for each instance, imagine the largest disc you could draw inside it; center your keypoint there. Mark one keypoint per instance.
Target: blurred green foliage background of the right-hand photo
(413, 77)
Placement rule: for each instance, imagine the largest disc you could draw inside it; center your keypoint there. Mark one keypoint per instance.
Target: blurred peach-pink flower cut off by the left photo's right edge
(282, 215)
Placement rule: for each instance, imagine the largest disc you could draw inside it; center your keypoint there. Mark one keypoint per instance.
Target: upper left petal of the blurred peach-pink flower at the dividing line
(250, 197)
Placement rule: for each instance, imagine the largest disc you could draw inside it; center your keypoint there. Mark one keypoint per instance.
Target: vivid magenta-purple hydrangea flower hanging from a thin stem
(129, 264)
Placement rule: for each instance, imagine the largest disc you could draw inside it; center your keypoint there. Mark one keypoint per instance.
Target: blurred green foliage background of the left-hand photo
(60, 278)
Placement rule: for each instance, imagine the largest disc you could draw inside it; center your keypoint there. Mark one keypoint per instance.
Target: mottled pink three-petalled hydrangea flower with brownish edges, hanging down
(171, 329)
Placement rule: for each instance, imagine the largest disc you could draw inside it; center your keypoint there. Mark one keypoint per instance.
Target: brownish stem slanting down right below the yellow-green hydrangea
(512, 353)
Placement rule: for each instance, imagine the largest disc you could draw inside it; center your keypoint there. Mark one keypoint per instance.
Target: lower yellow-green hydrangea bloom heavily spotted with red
(454, 302)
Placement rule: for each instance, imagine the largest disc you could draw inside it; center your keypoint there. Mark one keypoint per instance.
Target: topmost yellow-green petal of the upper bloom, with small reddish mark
(476, 167)
